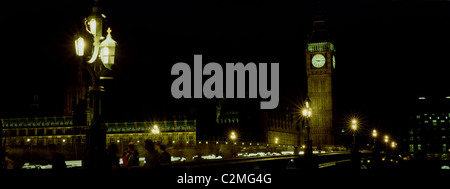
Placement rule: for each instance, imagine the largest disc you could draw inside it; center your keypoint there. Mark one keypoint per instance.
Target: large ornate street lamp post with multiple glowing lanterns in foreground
(101, 60)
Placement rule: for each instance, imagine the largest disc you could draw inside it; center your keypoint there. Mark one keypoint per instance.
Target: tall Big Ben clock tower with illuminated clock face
(320, 64)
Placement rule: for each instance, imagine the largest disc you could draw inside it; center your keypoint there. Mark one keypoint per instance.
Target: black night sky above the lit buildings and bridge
(387, 54)
